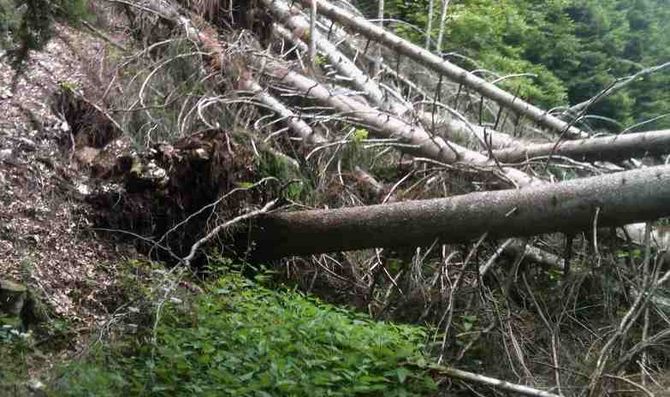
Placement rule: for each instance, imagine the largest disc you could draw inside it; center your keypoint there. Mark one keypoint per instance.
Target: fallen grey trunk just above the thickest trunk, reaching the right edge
(610, 148)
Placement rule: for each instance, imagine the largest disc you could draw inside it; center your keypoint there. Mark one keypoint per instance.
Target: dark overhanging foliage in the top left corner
(27, 25)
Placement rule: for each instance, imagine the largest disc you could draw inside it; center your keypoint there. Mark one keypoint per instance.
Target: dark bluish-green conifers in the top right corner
(618, 39)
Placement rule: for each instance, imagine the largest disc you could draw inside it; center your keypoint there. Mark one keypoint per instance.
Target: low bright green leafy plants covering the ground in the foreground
(242, 339)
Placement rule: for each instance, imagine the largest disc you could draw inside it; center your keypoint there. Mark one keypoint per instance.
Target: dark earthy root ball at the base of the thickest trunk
(170, 183)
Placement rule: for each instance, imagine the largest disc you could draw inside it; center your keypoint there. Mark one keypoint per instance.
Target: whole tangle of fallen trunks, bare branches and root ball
(314, 132)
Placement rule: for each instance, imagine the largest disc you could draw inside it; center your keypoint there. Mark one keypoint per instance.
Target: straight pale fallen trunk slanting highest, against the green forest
(451, 71)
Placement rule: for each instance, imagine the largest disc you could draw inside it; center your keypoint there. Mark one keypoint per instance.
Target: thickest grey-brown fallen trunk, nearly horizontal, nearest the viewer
(610, 200)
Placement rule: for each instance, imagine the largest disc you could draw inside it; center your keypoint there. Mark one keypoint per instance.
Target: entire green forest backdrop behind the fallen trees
(574, 49)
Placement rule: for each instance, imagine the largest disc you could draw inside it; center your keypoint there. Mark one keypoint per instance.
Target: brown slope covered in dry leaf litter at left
(46, 238)
